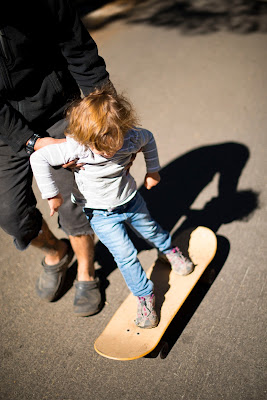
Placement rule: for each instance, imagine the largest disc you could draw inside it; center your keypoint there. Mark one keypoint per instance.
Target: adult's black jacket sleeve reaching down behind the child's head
(79, 49)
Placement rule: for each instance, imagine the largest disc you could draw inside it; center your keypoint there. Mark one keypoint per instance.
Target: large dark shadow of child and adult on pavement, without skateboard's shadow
(182, 181)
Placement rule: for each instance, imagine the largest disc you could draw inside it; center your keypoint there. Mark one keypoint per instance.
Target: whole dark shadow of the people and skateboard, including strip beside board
(181, 182)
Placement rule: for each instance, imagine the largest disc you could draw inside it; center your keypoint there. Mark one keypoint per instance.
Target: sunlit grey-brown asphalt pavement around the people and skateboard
(203, 95)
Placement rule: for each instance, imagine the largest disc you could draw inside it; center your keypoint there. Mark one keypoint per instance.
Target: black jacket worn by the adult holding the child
(46, 57)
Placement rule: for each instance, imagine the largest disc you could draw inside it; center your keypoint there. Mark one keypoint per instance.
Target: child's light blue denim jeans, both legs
(109, 226)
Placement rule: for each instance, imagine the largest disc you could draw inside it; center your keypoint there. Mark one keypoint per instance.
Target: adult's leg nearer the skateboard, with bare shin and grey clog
(87, 299)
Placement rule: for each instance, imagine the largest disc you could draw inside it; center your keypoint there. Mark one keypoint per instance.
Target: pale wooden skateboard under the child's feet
(122, 339)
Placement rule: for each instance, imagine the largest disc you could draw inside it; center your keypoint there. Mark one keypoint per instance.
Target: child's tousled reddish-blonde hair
(101, 120)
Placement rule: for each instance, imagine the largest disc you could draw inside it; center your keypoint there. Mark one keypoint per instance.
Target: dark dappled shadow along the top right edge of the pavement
(204, 16)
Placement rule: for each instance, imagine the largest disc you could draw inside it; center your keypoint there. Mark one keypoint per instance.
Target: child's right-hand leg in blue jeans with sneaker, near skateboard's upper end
(141, 221)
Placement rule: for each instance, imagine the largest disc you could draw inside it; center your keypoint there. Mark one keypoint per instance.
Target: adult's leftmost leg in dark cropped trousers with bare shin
(19, 216)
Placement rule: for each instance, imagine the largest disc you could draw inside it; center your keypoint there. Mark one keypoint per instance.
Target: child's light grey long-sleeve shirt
(104, 182)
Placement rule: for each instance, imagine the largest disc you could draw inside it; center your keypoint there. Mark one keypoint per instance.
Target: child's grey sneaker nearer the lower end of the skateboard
(146, 313)
